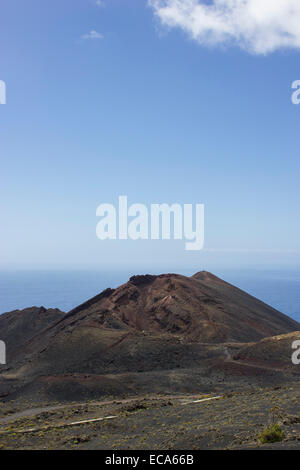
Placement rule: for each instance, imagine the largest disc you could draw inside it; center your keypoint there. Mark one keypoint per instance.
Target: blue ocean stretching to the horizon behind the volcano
(67, 289)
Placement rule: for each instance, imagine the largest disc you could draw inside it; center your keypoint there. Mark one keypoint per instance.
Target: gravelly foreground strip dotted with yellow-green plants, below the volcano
(182, 422)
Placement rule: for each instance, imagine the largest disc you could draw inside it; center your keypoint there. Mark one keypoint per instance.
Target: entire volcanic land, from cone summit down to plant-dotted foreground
(161, 362)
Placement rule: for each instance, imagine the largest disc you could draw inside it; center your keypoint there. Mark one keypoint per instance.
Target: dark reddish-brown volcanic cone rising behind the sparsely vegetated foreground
(140, 336)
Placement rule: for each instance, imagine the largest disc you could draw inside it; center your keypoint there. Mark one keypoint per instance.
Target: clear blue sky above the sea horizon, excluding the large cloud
(148, 110)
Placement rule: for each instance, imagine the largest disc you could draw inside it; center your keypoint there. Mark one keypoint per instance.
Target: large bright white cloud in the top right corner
(258, 26)
